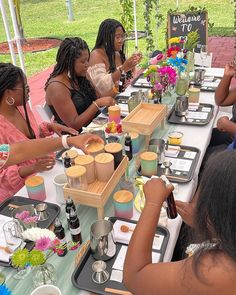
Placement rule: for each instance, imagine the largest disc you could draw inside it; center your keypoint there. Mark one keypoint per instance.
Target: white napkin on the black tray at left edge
(4, 256)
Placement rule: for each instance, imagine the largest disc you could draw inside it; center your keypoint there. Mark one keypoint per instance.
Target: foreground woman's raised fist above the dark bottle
(156, 191)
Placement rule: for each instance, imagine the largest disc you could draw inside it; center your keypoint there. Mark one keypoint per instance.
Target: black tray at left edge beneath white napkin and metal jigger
(53, 211)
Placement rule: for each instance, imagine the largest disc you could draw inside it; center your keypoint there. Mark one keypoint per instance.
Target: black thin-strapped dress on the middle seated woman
(81, 98)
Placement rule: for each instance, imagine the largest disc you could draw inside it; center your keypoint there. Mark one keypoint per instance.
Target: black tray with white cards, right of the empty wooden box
(199, 117)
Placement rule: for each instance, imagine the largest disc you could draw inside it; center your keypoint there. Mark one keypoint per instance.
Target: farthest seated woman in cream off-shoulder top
(107, 61)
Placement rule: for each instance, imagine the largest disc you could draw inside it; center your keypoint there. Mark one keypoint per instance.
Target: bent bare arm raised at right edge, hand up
(223, 95)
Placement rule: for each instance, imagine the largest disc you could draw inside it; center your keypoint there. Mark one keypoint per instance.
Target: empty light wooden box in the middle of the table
(145, 118)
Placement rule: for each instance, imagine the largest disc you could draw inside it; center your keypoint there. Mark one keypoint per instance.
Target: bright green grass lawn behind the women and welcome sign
(48, 18)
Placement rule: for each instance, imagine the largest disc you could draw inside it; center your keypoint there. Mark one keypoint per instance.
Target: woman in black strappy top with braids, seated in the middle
(69, 94)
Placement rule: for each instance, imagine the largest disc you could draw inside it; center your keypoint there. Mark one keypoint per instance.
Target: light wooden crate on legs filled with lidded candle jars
(98, 192)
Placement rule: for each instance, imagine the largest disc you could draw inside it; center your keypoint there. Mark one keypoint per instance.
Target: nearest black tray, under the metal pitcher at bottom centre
(82, 275)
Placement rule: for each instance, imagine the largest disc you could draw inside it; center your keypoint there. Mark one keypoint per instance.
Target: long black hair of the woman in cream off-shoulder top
(106, 39)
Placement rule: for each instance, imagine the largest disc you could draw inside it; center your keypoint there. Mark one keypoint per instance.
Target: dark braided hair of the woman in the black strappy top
(69, 50)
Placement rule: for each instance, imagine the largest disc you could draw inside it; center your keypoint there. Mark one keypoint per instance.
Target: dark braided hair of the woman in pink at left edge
(10, 75)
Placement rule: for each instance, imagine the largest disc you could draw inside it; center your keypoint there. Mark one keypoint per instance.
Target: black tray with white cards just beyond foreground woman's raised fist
(183, 177)
